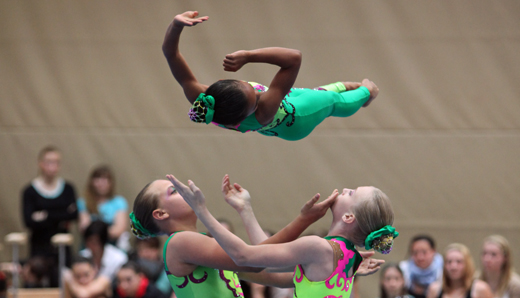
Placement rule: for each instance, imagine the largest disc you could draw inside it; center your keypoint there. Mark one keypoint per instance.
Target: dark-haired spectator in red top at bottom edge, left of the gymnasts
(132, 283)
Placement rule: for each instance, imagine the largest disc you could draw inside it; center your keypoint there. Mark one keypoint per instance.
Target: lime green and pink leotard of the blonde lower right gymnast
(339, 283)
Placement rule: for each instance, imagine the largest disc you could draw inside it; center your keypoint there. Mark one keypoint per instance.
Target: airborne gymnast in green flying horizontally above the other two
(278, 110)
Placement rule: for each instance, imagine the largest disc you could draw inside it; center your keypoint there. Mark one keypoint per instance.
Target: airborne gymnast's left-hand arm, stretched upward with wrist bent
(180, 69)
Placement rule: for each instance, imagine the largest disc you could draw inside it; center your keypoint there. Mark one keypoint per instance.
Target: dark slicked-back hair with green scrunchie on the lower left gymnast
(141, 219)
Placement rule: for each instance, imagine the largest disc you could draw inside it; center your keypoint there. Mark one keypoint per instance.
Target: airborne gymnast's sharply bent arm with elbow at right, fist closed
(289, 61)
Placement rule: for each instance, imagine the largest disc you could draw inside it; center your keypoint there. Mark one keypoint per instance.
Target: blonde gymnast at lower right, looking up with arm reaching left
(323, 267)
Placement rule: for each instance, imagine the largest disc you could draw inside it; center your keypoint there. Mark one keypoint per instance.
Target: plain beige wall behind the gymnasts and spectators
(442, 138)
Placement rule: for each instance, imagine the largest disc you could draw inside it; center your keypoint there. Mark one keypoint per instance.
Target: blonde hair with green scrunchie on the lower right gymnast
(375, 217)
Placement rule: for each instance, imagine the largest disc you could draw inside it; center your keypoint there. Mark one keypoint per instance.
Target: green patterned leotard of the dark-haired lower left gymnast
(204, 282)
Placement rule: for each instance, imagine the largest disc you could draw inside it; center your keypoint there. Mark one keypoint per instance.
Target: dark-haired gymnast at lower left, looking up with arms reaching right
(195, 264)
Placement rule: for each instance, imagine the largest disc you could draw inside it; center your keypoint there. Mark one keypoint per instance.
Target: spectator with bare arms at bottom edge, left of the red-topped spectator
(83, 283)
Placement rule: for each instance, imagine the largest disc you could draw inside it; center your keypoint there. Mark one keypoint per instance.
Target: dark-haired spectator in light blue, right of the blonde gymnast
(423, 267)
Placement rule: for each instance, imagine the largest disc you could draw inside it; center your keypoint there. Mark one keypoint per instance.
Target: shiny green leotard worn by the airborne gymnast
(303, 109)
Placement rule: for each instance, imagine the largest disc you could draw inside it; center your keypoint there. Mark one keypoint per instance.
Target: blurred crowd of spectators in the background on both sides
(110, 263)
